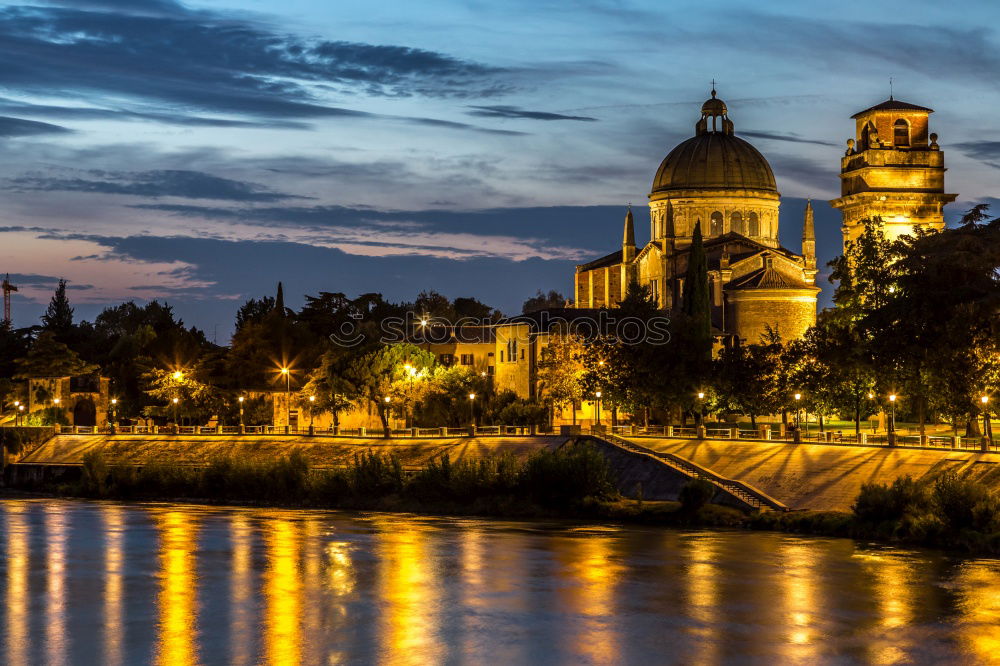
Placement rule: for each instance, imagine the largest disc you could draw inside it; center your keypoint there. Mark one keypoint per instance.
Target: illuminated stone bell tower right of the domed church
(892, 169)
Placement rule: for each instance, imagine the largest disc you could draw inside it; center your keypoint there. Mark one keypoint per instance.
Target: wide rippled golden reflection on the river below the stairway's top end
(592, 573)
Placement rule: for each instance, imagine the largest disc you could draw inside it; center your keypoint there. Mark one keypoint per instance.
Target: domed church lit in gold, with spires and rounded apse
(723, 185)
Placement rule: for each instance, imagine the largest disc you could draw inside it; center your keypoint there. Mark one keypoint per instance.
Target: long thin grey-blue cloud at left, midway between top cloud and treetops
(155, 184)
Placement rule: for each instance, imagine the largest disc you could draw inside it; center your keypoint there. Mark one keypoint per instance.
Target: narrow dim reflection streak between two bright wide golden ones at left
(241, 590)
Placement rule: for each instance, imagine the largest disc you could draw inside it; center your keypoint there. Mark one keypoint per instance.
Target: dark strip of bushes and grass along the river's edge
(951, 513)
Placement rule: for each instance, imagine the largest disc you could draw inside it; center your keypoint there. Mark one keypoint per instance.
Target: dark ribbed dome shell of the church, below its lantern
(714, 160)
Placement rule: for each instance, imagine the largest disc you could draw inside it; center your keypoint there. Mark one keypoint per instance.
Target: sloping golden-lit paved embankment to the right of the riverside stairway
(815, 476)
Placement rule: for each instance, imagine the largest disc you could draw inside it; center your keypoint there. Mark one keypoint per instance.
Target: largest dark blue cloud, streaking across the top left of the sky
(212, 61)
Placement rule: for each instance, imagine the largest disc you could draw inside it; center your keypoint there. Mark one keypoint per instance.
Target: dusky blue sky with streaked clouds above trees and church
(200, 152)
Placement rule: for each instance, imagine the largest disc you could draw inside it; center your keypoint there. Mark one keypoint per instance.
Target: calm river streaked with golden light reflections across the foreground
(111, 583)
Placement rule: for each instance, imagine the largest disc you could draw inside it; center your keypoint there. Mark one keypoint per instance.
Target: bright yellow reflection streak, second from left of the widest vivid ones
(282, 592)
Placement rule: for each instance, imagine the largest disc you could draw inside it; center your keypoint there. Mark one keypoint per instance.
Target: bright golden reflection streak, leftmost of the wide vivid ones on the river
(178, 589)
